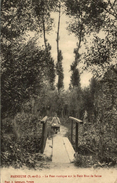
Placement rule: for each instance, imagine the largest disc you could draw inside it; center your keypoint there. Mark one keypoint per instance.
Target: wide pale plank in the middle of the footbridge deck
(59, 152)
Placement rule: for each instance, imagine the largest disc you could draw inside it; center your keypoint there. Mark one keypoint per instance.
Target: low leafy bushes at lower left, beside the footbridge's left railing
(20, 144)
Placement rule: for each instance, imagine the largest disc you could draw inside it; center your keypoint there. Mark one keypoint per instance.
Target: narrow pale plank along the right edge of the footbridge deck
(69, 149)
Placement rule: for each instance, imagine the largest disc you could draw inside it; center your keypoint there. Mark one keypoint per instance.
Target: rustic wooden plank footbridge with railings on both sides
(59, 148)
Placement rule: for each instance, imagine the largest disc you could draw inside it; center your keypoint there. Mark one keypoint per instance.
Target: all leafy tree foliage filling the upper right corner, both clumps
(95, 17)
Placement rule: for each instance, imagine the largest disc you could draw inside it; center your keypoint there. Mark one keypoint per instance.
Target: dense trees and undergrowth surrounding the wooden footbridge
(28, 75)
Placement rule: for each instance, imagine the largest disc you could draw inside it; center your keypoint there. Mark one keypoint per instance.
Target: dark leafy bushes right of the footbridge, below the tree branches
(100, 137)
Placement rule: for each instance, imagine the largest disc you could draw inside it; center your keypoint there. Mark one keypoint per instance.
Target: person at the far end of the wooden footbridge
(55, 123)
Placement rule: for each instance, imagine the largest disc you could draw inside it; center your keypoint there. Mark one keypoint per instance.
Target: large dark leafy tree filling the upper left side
(24, 66)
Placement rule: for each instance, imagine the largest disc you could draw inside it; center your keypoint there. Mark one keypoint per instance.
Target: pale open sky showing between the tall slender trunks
(67, 44)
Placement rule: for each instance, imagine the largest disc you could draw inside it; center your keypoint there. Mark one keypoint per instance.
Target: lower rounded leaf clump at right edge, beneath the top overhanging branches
(100, 55)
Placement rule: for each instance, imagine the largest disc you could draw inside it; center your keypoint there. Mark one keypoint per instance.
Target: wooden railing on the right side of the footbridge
(76, 121)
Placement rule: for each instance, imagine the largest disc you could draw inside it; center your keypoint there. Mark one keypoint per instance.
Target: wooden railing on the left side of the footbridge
(44, 133)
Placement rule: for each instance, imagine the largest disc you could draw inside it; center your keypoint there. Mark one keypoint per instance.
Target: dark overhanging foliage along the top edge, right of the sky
(92, 15)
